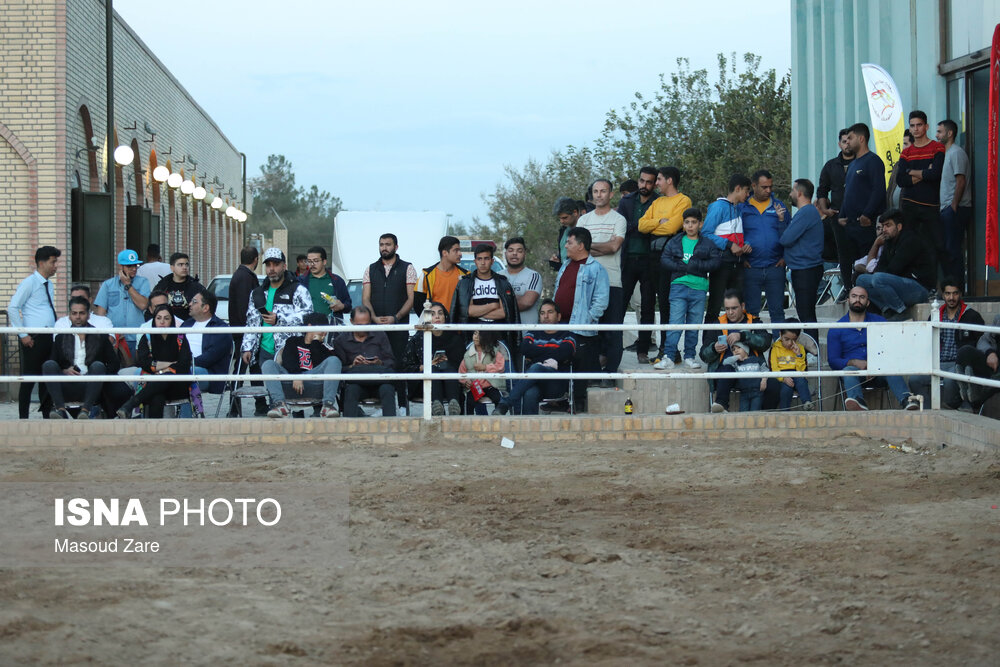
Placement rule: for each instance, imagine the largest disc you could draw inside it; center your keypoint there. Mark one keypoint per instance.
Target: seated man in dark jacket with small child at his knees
(721, 344)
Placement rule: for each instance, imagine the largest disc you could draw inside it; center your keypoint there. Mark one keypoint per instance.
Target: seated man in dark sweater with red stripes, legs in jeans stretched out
(547, 352)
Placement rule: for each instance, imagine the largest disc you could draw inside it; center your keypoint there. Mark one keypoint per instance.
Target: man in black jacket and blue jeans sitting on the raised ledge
(905, 272)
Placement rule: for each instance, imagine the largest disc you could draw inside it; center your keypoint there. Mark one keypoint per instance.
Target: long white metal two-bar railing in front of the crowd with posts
(918, 365)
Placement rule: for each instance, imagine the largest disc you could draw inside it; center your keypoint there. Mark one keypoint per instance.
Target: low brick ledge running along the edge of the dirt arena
(926, 428)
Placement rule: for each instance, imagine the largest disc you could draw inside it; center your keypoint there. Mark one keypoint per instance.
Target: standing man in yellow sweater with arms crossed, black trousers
(661, 221)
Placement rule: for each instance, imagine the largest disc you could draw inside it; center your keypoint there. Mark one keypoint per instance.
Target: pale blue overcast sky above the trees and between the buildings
(418, 106)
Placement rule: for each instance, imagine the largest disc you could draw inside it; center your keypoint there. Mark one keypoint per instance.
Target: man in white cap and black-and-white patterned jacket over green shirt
(280, 302)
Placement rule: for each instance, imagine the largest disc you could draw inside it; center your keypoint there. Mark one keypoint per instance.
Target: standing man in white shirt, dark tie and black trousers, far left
(32, 306)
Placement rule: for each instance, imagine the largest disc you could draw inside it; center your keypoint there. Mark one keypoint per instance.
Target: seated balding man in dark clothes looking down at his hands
(366, 352)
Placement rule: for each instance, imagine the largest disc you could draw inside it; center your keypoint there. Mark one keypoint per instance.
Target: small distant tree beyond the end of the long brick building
(309, 213)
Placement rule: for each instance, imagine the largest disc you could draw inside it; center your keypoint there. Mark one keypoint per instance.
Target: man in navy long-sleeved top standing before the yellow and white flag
(864, 200)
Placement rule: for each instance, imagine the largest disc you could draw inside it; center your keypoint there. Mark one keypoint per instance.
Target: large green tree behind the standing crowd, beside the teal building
(709, 129)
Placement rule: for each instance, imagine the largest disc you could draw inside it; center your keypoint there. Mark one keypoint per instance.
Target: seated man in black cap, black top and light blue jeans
(307, 354)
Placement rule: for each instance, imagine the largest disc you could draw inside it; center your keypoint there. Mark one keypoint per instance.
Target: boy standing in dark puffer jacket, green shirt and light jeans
(689, 257)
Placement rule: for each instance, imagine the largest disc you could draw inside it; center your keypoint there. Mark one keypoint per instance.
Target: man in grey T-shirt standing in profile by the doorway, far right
(956, 200)
